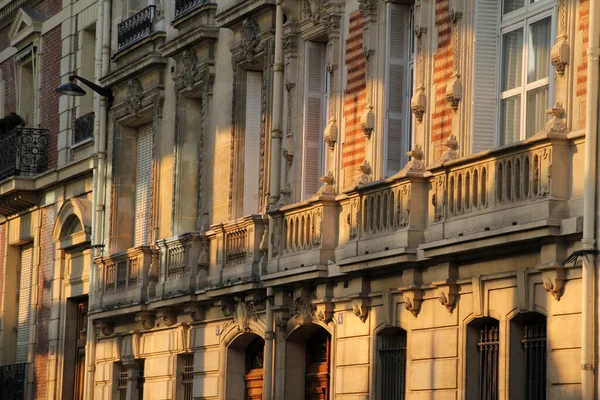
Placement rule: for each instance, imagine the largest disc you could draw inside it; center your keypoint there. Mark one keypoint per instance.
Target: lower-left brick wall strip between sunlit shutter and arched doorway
(44, 302)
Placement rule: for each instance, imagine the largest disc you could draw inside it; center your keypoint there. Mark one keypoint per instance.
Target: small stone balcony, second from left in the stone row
(184, 262)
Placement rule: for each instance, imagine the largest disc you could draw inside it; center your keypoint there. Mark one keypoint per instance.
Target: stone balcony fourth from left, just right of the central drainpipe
(304, 234)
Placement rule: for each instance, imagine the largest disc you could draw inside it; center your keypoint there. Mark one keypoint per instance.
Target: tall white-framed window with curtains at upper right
(526, 33)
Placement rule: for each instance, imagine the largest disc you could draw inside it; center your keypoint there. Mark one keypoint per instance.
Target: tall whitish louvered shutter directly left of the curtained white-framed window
(485, 88)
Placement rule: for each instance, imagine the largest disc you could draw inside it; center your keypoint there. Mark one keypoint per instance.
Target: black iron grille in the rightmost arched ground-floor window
(534, 344)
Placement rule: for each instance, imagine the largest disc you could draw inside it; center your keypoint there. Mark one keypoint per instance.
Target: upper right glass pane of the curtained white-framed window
(539, 50)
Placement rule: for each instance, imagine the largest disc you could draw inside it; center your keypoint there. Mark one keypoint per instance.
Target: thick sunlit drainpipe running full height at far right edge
(588, 313)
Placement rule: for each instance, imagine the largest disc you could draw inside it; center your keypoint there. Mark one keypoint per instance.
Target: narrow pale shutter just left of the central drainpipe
(252, 142)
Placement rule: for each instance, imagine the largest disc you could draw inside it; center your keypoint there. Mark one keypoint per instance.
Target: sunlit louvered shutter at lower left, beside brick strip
(24, 310)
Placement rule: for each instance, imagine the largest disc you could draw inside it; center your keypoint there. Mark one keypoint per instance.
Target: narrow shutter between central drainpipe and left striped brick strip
(313, 117)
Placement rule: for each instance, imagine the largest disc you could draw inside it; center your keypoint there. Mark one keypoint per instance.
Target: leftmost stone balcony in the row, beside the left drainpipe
(127, 278)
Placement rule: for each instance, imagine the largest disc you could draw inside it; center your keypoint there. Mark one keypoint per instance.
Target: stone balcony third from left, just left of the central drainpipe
(238, 249)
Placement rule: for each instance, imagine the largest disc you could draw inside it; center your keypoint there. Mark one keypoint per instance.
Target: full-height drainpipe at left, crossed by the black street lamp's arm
(98, 182)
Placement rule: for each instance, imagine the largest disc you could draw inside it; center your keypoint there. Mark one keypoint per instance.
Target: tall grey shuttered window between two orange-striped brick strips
(399, 82)
